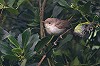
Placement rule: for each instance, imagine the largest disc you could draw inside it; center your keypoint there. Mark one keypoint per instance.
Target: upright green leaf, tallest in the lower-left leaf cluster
(25, 37)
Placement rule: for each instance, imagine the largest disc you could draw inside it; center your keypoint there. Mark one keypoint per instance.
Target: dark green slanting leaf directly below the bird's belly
(42, 43)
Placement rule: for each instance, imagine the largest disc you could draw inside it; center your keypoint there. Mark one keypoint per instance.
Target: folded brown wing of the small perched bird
(62, 24)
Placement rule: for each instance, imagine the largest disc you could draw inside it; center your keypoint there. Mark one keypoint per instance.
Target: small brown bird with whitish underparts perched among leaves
(55, 26)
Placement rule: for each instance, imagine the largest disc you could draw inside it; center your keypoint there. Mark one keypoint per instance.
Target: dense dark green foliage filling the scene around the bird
(20, 43)
